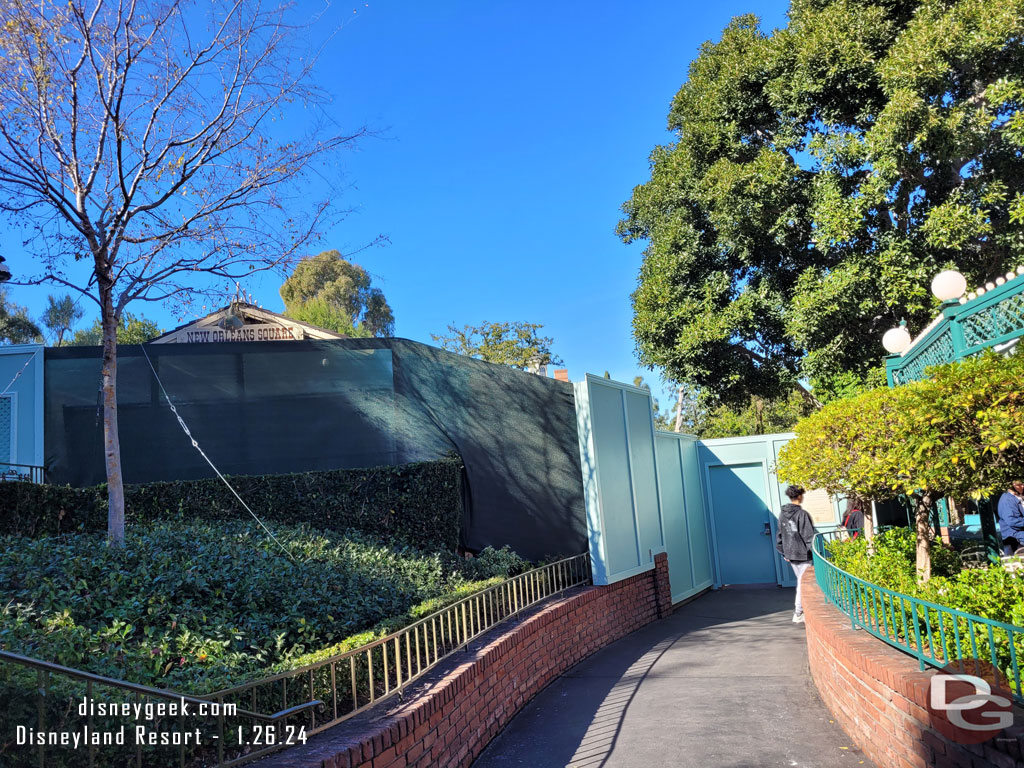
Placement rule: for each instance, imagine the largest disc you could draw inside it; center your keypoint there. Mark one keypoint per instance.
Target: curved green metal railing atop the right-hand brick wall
(935, 635)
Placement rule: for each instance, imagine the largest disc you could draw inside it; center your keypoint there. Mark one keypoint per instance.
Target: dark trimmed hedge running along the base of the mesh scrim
(419, 503)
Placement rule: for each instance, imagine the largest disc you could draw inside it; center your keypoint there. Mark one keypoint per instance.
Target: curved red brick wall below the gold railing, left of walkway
(450, 718)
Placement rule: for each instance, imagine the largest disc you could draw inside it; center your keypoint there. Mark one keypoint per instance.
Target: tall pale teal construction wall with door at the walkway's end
(712, 505)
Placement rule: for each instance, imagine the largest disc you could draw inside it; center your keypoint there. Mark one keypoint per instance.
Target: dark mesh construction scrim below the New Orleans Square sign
(292, 407)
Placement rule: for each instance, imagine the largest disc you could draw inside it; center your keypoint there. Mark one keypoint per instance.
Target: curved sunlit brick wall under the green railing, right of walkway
(880, 697)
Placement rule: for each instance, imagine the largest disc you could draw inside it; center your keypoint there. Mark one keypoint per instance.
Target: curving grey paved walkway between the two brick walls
(721, 684)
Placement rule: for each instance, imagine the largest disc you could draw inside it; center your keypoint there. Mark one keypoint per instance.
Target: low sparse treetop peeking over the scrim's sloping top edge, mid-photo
(505, 344)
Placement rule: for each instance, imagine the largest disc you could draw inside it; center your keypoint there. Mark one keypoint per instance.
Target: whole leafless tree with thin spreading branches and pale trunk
(155, 143)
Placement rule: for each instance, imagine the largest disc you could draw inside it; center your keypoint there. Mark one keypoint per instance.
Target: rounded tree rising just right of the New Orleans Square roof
(333, 293)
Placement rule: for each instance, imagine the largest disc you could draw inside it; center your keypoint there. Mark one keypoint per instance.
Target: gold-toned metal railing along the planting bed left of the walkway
(249, 721)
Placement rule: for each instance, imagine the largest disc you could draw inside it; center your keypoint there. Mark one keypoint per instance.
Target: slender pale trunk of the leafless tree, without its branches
(112, 446)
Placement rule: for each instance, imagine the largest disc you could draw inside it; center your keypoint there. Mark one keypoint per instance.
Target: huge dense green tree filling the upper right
(821, 177)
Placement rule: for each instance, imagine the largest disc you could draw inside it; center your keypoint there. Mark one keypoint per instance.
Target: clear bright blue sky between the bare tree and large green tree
(509, 135)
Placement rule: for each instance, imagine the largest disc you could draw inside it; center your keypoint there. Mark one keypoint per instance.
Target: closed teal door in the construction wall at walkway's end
(743, 520)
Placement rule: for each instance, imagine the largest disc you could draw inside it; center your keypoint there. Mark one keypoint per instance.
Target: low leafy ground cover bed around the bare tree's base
(196, 607)
